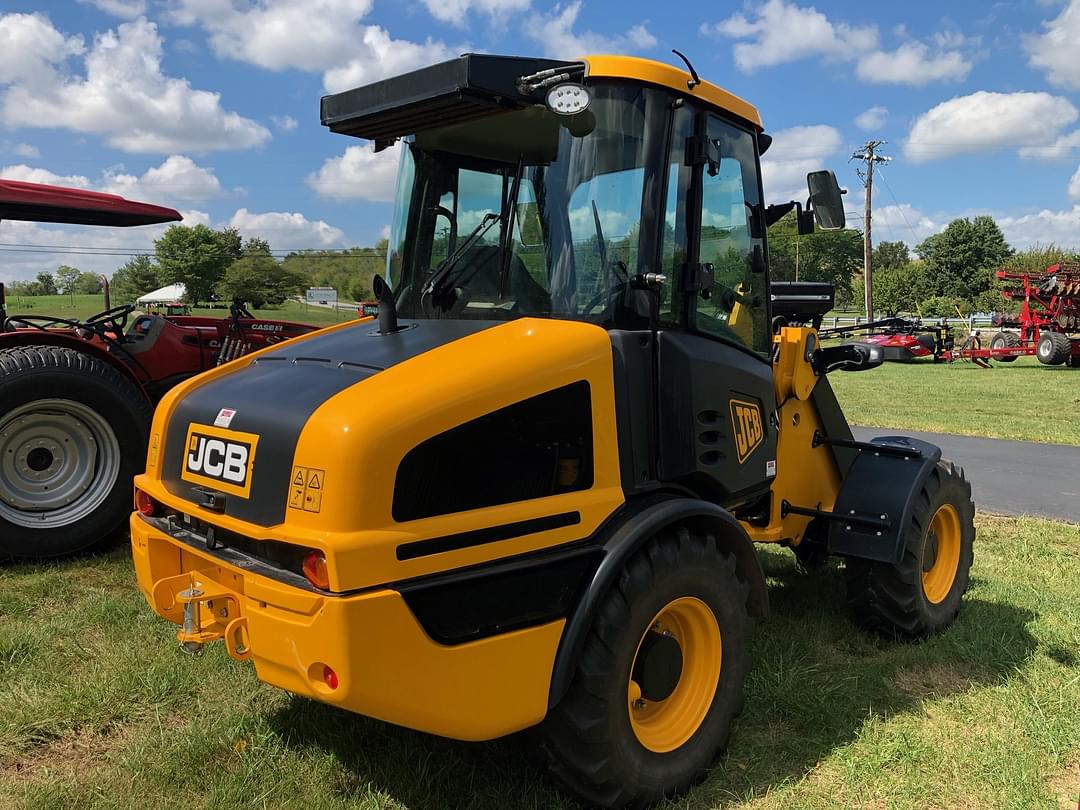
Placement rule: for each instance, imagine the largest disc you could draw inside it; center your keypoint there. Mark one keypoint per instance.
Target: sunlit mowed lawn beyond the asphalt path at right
(1023, 400)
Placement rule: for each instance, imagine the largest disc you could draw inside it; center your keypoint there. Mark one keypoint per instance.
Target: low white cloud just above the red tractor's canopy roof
(178, 180)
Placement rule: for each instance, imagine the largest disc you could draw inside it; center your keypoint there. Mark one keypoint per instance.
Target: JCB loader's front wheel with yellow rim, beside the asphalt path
(922, 595)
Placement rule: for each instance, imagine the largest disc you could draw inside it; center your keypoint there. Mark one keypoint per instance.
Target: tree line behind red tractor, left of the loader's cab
(221, 266)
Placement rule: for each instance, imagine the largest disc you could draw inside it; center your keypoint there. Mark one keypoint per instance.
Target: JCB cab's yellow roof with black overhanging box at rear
(477, 86)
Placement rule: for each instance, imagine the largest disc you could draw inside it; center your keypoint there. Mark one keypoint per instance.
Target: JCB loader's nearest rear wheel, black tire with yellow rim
(660, 679)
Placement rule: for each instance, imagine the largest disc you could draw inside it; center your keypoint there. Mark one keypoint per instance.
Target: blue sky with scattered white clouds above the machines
(213, 107)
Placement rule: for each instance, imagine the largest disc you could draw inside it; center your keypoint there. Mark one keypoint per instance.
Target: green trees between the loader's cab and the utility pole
(829, 256)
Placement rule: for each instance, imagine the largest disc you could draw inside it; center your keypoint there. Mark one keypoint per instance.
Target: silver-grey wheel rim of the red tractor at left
(59, 462)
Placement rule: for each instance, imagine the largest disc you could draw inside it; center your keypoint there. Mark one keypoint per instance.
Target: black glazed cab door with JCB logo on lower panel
(715, 395)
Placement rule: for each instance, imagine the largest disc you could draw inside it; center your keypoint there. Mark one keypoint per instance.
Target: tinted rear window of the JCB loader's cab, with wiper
(530, 213)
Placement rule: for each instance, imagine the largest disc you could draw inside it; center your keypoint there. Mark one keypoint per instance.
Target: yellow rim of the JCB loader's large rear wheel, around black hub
(665, 725)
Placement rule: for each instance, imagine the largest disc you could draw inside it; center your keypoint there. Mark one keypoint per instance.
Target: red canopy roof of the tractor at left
(39, 204)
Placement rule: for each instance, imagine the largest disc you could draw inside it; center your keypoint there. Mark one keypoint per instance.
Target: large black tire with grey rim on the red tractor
(73, 436)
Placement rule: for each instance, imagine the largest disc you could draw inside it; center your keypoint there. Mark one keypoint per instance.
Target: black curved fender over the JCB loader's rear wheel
(624, 536)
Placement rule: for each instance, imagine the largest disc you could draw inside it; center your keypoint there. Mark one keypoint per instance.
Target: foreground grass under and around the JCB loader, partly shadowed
(102, 710)
